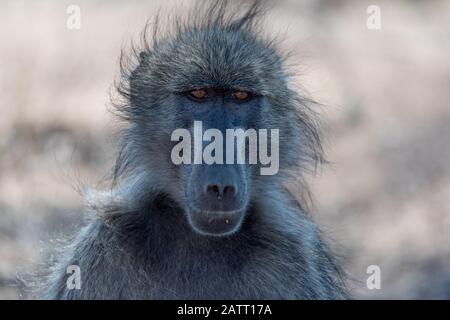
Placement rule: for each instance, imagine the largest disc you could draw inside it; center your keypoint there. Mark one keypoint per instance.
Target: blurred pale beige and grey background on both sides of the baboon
(383, 200)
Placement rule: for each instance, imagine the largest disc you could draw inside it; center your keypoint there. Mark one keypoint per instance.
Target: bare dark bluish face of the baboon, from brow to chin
(217, 194)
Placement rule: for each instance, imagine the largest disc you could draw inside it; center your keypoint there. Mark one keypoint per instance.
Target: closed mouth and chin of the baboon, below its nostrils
(215, 223)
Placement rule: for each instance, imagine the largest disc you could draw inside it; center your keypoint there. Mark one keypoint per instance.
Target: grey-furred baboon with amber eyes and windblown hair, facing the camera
(204, 231)
